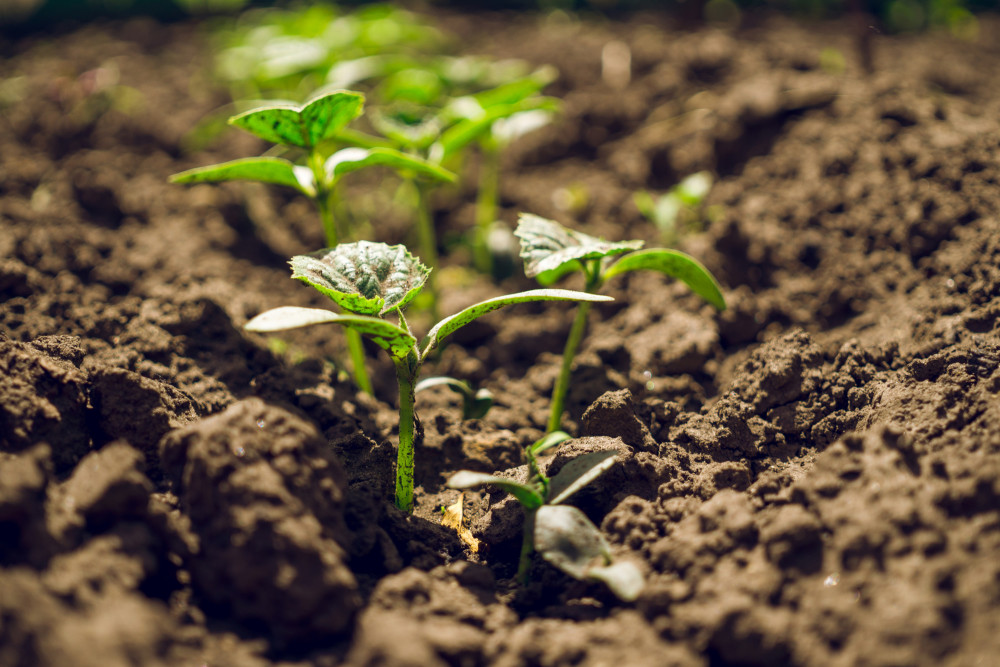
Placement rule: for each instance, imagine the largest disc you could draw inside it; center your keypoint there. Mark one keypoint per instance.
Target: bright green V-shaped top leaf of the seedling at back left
(305, 125)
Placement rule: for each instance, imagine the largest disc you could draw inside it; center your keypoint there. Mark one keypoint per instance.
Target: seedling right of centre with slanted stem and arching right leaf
(551, 251)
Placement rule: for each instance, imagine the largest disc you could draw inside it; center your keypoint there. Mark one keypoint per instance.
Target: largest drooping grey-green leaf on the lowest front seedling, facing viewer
(566, 538)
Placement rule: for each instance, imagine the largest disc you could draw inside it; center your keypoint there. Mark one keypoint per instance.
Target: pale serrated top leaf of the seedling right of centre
(548, 246)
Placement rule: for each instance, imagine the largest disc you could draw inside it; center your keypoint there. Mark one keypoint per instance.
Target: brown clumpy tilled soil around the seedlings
(811, 477)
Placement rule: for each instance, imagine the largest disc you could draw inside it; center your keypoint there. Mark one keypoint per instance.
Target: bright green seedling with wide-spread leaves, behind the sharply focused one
(308, 128)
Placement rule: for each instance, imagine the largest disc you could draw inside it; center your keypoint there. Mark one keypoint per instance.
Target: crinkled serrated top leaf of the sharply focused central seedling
(365, 278)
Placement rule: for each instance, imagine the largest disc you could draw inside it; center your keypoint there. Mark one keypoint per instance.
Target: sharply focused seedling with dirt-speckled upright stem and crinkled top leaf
(370, 281)
